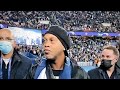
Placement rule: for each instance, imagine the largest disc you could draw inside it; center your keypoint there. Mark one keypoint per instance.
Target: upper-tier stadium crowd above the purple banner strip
(70, 20)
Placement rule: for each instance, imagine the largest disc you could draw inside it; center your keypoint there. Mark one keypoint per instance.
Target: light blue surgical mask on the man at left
(5, 47)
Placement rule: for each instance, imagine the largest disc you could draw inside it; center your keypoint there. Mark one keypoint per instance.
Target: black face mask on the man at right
(106, 64)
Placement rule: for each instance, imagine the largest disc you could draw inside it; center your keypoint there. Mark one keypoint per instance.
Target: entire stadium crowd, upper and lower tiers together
(83, 48)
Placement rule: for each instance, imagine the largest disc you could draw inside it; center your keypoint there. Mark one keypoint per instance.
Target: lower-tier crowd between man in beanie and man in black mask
(86, 49)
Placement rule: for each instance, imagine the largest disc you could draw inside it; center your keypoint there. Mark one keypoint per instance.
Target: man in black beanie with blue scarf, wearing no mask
(57, 64)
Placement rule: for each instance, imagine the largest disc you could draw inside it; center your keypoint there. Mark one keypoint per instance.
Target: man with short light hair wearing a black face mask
(108, 68)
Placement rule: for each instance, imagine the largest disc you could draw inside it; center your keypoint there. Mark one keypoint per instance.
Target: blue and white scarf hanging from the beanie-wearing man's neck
(44, 71)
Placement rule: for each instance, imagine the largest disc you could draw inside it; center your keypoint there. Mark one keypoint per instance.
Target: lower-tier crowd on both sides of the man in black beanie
(83, 49)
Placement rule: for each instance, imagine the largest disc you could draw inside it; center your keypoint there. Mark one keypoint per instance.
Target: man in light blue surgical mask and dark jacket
(12, 64)
